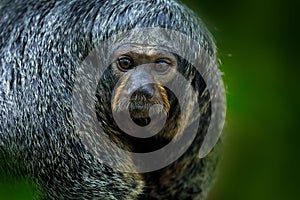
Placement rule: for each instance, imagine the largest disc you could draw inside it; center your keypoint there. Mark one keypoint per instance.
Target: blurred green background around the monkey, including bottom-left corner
(258, 46)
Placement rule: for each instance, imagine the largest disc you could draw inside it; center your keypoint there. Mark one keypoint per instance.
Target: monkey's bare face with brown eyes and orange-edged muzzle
(142, 71)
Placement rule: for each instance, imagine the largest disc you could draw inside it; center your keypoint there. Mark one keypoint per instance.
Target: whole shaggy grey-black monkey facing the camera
(47, 136)
